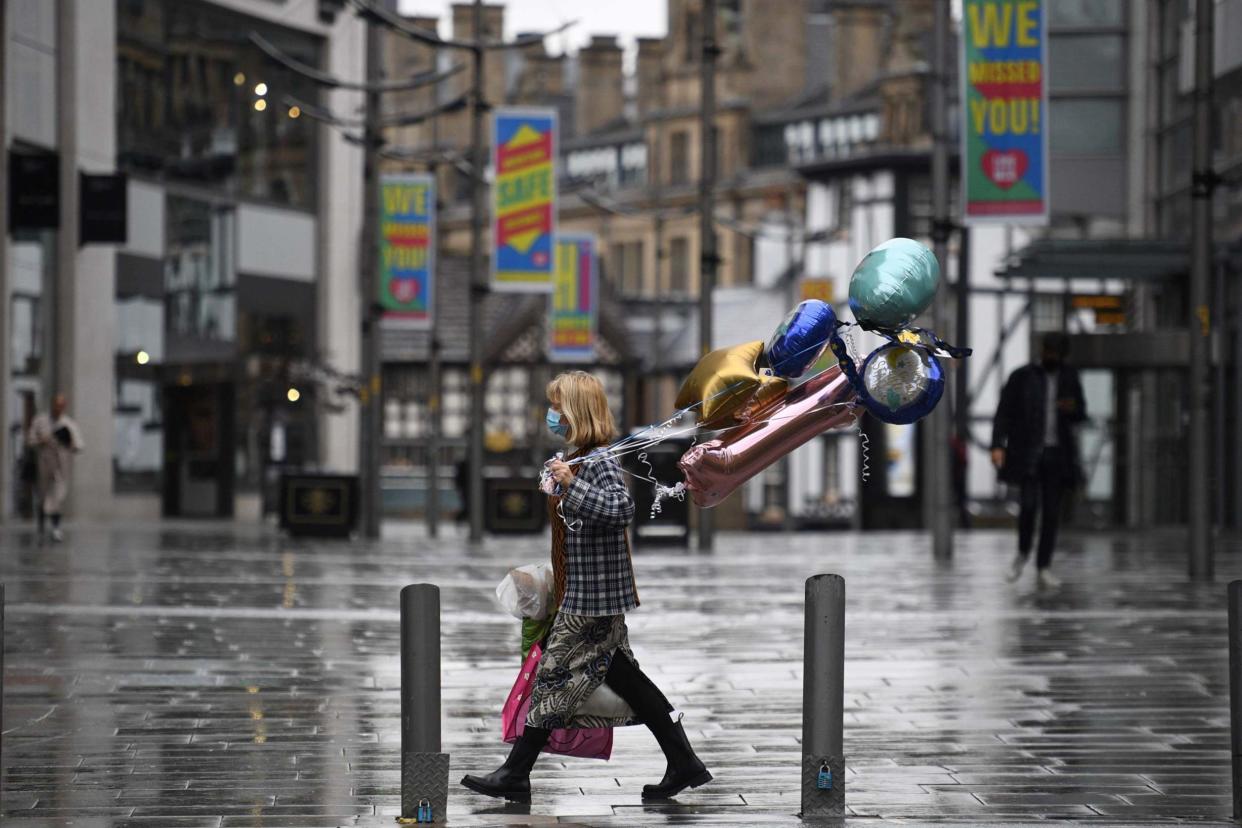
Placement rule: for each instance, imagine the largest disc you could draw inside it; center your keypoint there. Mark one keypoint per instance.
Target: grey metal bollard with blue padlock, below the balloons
(824, 765)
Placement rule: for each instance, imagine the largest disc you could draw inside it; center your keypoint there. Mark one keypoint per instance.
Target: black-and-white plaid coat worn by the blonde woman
(601, 574)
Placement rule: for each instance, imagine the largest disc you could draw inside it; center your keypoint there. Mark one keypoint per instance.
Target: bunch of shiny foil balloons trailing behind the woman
(764, 420)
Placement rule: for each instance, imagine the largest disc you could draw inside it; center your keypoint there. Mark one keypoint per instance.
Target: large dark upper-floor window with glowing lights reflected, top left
(197, 101)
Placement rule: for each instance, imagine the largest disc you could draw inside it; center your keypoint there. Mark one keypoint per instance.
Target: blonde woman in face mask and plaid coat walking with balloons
(589, 645)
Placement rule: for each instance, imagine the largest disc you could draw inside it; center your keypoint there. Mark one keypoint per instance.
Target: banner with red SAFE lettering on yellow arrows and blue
(524, 199)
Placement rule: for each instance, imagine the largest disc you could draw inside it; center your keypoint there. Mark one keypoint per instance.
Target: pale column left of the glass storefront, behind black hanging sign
(85, 291)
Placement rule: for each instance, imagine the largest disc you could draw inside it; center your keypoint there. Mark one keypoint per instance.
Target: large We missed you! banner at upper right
(1004, 112)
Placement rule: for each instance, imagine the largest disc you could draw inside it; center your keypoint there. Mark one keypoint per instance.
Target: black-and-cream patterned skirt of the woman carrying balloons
(574, 664)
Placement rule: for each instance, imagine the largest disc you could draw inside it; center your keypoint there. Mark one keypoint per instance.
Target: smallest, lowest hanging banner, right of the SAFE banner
(574, 308)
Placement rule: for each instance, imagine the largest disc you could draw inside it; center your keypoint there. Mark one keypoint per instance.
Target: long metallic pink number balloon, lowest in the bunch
(716, 469)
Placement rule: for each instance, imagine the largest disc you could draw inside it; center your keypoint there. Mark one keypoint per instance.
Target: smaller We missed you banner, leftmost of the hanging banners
(408, 250)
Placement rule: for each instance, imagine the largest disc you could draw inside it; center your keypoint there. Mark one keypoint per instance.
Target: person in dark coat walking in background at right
(1035, 449)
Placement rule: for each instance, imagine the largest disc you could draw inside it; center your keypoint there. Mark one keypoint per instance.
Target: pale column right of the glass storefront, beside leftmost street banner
(341, 166)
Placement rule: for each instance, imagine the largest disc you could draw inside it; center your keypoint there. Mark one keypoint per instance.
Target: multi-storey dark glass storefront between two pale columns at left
(207, 128)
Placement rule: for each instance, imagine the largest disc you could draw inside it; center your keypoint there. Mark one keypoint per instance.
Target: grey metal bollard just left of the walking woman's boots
(424, 769)
